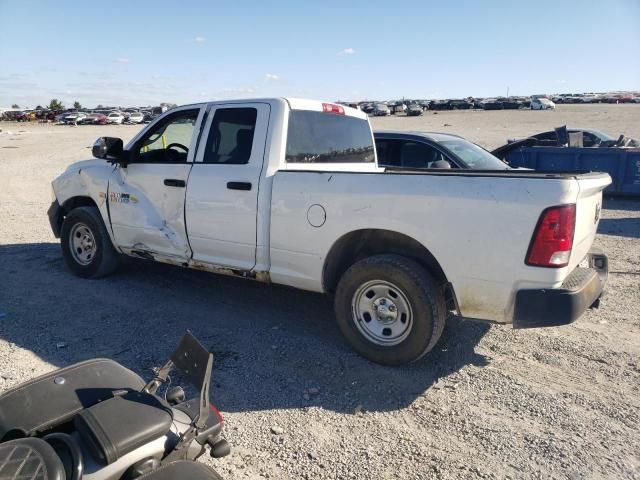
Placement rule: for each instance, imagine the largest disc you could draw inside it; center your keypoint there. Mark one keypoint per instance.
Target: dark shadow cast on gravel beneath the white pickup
(275, 347)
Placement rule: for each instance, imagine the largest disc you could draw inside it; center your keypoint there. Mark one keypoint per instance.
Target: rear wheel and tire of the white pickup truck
(383, 288)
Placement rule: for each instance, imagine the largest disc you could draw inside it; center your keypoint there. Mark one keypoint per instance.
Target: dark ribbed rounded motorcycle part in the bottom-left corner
(30, 459)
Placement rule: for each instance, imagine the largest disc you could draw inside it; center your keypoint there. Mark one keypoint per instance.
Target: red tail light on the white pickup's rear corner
(553, 238)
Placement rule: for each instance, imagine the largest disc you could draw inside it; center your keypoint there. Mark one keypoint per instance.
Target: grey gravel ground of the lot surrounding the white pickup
(488, 402)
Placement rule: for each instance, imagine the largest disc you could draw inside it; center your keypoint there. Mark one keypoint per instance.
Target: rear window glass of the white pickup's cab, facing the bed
(318, 137)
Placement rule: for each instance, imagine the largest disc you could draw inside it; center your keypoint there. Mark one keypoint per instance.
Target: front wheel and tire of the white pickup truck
(84, 231)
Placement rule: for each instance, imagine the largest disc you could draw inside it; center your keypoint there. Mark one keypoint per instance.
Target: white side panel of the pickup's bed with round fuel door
(477, 224)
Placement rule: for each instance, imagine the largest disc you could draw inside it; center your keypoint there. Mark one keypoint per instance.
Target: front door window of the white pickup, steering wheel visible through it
(168, 142)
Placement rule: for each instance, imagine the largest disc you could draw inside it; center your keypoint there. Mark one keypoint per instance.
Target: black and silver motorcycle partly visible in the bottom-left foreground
(97, 420)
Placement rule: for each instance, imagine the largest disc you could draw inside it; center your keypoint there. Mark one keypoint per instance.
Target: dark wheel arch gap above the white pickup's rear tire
(359, 244)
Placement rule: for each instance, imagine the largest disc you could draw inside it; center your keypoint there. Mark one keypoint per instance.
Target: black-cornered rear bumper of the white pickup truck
(553, 307)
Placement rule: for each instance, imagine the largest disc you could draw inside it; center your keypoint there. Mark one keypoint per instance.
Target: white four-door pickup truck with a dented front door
(288, 191)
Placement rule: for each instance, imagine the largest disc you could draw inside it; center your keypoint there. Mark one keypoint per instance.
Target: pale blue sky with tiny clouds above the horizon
(145, 52)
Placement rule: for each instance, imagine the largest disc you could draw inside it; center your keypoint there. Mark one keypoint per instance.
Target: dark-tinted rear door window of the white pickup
(231, 136)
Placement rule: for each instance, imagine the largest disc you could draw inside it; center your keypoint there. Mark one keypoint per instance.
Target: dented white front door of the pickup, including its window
(146, 198)
